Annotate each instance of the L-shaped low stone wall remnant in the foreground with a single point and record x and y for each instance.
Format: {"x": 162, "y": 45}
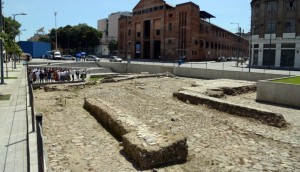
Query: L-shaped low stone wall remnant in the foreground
{"x": 148, "y": 150}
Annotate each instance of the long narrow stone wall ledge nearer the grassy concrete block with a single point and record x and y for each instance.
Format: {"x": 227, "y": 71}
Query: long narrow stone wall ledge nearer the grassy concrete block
{"x": 264, "y": 116}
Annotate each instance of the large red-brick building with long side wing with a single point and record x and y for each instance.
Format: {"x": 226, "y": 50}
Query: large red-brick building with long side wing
{"x": 158, "y": 29}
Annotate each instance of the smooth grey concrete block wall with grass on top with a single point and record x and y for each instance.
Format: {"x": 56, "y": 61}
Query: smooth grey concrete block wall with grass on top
{"x": 278, "y": 93}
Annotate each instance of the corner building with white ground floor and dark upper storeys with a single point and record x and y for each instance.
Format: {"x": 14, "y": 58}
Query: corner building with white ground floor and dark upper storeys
{"x": 275, "y": 27}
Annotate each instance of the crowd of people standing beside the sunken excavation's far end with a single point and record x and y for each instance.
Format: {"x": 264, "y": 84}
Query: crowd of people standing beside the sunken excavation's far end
{"x": 42, "y": 75}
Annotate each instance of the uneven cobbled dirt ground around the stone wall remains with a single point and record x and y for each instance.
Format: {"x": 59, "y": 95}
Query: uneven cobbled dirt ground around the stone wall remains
{"x": 75, "y": 141}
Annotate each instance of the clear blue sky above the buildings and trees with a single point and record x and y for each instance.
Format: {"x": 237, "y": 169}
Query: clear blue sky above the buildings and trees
{"x": 40, "y": 13}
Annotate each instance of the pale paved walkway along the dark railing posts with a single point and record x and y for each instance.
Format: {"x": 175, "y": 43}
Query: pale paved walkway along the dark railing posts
{"x": 14, "y": 152}
